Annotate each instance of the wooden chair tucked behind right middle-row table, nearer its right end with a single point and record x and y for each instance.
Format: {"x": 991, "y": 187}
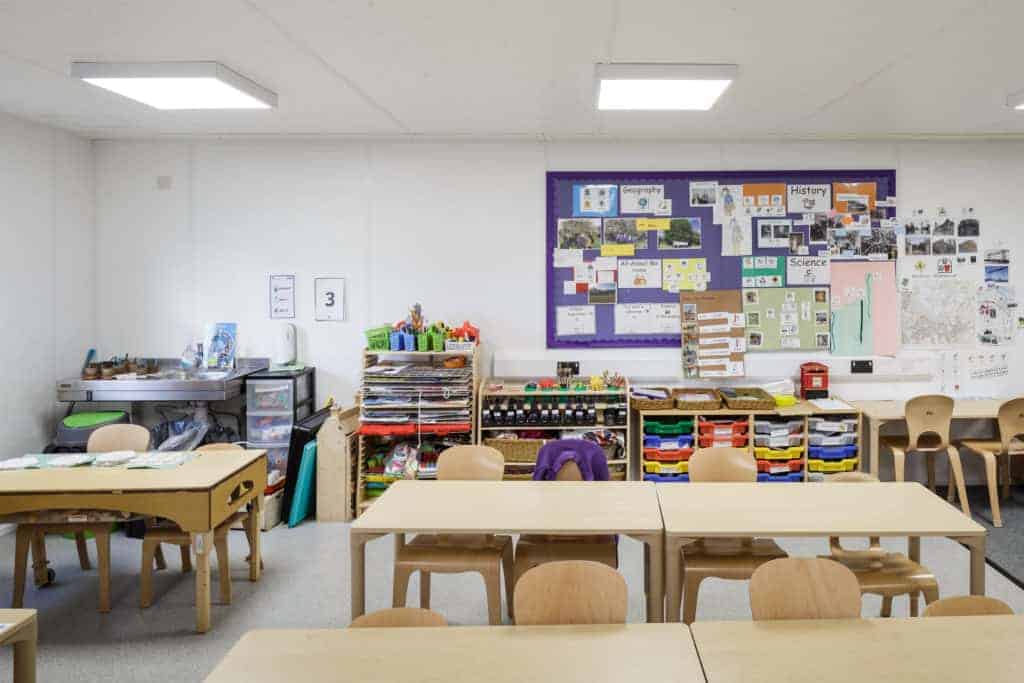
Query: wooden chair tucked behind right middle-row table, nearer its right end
{"x": 882, "y": 573}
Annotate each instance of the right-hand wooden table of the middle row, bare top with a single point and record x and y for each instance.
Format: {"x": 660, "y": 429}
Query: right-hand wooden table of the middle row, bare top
{"x": 694, "y": 511}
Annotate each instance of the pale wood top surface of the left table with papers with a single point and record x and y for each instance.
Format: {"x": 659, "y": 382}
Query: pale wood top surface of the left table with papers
{"x": 202, "y": 473}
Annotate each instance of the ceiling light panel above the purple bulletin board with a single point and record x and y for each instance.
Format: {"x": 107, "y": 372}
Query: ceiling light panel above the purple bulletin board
{"x": 662, "y": 88}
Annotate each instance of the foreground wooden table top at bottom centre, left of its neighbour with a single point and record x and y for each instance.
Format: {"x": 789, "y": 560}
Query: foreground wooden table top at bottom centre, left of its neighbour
{"x": 649, "y": 653}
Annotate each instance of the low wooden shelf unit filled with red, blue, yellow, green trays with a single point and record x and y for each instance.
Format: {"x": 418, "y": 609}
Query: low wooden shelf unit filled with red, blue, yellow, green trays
{"x": 798, "y": 444}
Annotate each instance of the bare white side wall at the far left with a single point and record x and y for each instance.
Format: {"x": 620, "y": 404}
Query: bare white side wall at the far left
{"x": 47, "y": 275}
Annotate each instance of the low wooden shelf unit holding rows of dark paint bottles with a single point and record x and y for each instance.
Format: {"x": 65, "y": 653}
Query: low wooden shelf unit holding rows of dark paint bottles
{"x": 518, "y": 416}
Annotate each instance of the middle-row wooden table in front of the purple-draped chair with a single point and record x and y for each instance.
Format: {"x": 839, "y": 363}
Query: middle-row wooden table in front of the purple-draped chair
{"x": 557, "y": 508}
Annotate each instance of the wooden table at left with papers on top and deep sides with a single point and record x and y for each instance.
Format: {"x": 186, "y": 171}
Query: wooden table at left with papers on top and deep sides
{"x": 198, "y": 497}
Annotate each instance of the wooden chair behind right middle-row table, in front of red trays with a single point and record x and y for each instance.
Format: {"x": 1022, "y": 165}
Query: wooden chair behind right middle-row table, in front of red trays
{"x": 735, "y": 560}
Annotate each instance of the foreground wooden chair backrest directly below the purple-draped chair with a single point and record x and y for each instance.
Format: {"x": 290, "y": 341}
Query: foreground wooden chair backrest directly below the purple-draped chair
{"x": 566, "y": 593}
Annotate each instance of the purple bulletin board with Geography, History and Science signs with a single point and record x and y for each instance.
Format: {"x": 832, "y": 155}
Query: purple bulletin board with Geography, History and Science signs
{"x": 622, "y": 247}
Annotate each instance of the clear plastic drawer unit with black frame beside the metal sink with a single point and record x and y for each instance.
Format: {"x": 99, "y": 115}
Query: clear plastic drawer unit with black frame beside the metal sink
{"x": 275, "y": 402}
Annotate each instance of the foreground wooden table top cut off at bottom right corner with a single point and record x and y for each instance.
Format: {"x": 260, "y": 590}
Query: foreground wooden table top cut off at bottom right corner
{"x": 956, "y": 649}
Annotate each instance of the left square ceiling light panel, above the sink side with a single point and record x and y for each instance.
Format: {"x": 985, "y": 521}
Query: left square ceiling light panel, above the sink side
{"x": 178, "y": 86}
